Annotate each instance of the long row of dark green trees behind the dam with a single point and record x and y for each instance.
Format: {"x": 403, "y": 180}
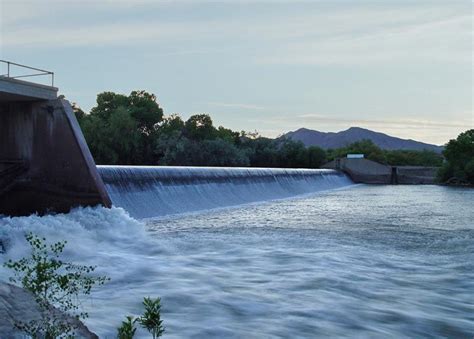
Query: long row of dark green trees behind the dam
{"x": 133, "y": 130}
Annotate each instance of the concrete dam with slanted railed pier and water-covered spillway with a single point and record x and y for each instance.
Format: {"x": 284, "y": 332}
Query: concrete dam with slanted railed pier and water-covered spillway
{"x": 46, "y": 166}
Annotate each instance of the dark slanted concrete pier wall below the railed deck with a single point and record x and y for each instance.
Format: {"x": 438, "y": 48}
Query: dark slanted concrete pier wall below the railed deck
{"x": 57, "y": 171}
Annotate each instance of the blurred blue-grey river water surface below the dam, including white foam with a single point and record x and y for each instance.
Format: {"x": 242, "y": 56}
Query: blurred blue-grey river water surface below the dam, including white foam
{"x": 364, "y": 261}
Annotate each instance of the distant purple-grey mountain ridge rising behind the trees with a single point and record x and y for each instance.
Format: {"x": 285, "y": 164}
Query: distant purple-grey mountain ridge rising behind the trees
{"x": 353, "y": 134}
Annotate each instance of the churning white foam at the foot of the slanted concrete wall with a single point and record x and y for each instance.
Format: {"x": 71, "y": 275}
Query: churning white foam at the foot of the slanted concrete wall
{"x": 95, "y": 235}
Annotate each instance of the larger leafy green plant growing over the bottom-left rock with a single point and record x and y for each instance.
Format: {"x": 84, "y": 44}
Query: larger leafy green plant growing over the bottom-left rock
{"x": 56, "y": 287}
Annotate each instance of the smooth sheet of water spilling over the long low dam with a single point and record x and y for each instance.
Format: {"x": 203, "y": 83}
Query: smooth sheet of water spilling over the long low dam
{"x": 149, "y": 191}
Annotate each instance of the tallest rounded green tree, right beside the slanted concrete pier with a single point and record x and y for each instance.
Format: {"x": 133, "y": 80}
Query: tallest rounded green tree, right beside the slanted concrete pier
{"x": 121, "y": 129}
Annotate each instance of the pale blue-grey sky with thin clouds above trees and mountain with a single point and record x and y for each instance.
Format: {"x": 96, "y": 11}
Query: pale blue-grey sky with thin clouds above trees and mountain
{"x": 400, "y": 67}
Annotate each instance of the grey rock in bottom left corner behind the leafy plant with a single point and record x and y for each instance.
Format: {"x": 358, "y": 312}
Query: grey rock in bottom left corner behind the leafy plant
{"x": 16, "y": 303}
